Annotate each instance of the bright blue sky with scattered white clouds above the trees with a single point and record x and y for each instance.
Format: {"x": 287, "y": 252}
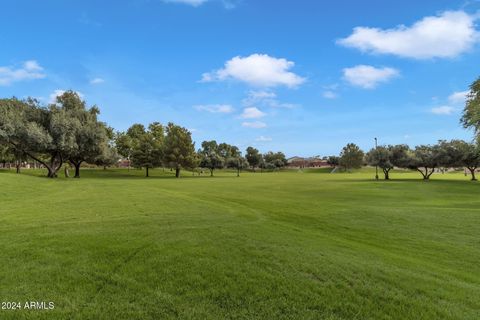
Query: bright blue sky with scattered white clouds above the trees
{"x": 304, "y": 77}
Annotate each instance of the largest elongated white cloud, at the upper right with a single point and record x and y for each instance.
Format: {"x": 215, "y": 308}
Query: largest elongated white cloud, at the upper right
{"x": 444, "y": 36}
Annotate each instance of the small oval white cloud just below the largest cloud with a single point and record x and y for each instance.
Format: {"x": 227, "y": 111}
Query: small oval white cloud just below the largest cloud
{"x": 368, "y": 77}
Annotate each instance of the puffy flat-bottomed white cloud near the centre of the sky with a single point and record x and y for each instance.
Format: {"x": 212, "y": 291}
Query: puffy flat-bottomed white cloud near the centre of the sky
{"x": 259, "y": 70}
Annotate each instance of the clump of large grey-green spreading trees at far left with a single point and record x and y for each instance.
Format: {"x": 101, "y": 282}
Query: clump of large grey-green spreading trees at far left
{"x": 65, "y": 131}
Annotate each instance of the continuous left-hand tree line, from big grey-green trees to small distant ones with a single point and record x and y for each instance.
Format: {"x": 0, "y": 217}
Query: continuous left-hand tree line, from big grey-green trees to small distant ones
{"x": 69, "y": 132}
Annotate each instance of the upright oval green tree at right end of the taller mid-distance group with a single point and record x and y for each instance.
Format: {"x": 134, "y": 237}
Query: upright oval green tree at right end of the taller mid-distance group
{"x": 179, "y": 150}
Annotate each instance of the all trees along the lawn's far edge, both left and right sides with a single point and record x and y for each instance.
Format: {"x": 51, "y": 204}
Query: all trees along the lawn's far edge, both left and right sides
{"x": 69, "y": 132}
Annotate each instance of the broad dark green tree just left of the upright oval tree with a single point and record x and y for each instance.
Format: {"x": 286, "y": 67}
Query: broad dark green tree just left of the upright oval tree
{"x": 146, "y": 146}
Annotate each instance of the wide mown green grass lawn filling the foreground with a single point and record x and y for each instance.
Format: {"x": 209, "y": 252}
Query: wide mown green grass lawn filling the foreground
{"x": 287, "y": 245}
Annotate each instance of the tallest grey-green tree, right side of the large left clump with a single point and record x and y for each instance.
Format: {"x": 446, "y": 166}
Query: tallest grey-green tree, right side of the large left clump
{"x": 90, "y": 136}
